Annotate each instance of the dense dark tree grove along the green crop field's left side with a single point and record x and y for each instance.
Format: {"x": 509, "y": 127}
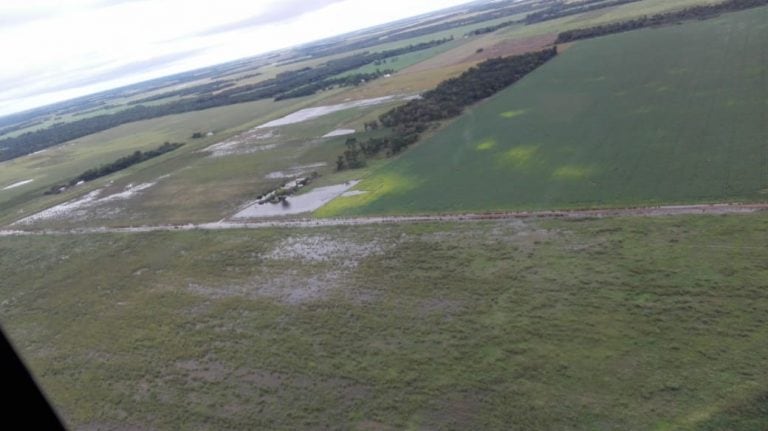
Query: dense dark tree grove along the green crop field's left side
{"x": 447, "y": 100}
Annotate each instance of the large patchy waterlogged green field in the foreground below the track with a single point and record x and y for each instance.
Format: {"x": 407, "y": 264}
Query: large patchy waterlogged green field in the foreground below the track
{"x": 624, "y": 323}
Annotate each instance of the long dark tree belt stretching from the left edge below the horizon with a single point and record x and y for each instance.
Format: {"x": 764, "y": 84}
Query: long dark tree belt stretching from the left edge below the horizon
{"x": 283, "y": 83}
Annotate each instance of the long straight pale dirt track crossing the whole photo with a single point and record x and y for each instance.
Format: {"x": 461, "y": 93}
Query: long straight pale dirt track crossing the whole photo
{"x": 710, "y": 209}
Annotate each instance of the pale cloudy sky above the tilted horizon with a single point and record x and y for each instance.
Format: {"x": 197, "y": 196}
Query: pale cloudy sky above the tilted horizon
{"x": 60, "y": 49}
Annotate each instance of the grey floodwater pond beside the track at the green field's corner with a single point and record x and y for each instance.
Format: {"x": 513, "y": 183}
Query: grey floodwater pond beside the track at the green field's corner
{"x": 298, "y": 204}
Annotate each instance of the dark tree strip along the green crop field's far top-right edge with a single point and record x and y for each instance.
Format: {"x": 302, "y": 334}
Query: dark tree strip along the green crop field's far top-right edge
{"x": 691, "y": 13}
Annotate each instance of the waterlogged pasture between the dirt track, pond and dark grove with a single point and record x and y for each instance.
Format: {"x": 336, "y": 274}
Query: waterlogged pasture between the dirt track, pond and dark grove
{"x": 212, "y": 188}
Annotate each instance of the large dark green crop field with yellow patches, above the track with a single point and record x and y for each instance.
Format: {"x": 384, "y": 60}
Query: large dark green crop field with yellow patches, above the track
{"x": 602, "y": 125}
